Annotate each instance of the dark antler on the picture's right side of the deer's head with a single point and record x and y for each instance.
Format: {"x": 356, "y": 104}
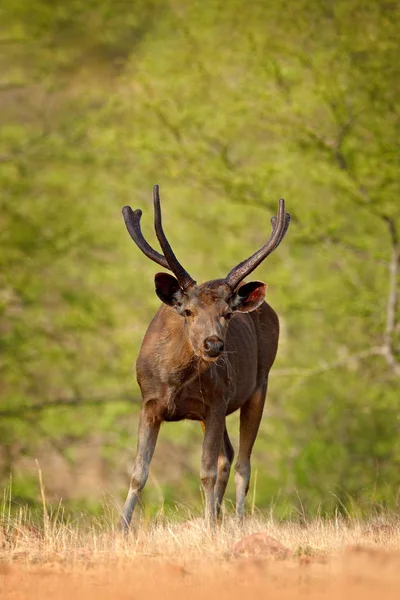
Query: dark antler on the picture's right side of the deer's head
{"x": 280, "y": 226}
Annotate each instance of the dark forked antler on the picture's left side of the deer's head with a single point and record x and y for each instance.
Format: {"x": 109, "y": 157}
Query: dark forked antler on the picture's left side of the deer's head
{"x": 167, "y": 260}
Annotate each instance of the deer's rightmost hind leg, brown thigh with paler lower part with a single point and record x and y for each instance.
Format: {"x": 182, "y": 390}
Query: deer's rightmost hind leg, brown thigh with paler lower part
{"x": 250, "y": 417}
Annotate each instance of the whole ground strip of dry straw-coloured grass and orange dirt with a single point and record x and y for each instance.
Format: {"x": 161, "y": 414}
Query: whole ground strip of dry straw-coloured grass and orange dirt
{"x": 165, "y": 559}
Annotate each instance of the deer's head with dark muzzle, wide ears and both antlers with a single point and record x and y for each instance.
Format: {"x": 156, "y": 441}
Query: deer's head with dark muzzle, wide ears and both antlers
{"x": 207, "y": 308}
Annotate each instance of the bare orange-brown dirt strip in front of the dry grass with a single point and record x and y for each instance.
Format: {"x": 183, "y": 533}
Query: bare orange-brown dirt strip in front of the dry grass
{"x": 356, "y": 573}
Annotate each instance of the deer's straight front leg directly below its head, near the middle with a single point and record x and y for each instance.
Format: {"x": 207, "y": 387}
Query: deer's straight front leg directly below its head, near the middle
{"x": 214, "y": 430}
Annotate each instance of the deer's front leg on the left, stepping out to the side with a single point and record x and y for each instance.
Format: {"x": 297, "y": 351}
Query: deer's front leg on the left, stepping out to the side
{"x": 147, "y": 439}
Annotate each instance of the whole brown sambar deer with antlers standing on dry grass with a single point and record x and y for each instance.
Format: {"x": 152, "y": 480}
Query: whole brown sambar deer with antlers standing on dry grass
{"x": 206, "y": 354}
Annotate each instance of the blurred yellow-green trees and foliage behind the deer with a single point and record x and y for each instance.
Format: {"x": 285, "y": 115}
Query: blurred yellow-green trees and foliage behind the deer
{"x": 228, "y": 106}
